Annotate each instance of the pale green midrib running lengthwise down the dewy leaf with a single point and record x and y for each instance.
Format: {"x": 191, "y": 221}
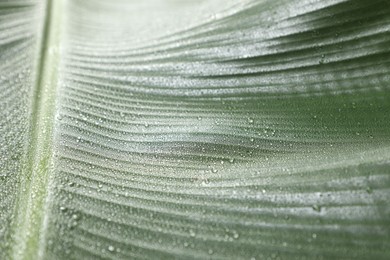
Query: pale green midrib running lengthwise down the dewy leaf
{"x": 36, "y": 164}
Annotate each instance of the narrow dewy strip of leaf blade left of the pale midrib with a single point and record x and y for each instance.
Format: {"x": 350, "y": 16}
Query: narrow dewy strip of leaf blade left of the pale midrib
{"x": 19, "y": 47}
